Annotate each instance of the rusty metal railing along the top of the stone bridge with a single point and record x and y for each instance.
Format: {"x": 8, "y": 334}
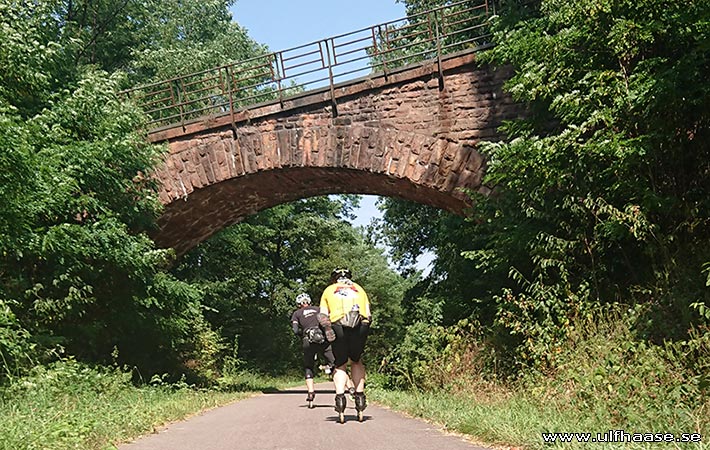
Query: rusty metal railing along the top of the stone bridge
{"x": 279, "y": 75}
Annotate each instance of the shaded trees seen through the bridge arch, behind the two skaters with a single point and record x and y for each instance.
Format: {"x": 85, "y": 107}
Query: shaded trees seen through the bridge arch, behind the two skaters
{"x": 251, "y": 273}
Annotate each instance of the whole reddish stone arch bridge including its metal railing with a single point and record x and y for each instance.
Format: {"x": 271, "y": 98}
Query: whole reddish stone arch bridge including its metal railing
{"x": 246, "y": 136}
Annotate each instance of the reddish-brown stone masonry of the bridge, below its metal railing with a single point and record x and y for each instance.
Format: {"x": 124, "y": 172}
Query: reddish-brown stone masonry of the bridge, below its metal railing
{"x": 406, "y": 135}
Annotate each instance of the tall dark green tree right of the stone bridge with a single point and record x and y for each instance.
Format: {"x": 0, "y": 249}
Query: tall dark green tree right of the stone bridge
{"x": 612, "y": 170}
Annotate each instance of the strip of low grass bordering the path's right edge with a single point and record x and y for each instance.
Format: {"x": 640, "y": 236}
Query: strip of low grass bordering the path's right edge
{"x": 513, "y": 420}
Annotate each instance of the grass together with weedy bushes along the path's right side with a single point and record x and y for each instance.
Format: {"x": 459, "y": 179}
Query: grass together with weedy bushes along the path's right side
{"x": 609, "y": 380}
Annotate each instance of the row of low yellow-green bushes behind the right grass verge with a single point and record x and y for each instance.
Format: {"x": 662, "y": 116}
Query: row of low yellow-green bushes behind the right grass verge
{"x": 606, "y": 376}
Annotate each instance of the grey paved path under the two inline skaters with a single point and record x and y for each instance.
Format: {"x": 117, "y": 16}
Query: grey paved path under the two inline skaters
{"x": 282, "y": 421}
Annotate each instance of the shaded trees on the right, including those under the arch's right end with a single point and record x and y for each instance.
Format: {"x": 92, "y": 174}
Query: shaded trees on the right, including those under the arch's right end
{"x": 600, "y": 195}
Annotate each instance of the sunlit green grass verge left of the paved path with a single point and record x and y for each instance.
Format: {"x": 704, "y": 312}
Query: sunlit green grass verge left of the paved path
{"x": 71, "y": 406}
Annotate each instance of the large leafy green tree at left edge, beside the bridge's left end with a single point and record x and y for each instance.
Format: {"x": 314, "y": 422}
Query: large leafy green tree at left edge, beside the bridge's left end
{"x": 76, "y": 257}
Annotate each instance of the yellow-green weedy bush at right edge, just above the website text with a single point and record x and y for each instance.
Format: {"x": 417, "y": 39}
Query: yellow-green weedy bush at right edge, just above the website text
{"x": 608, "y": 372}
